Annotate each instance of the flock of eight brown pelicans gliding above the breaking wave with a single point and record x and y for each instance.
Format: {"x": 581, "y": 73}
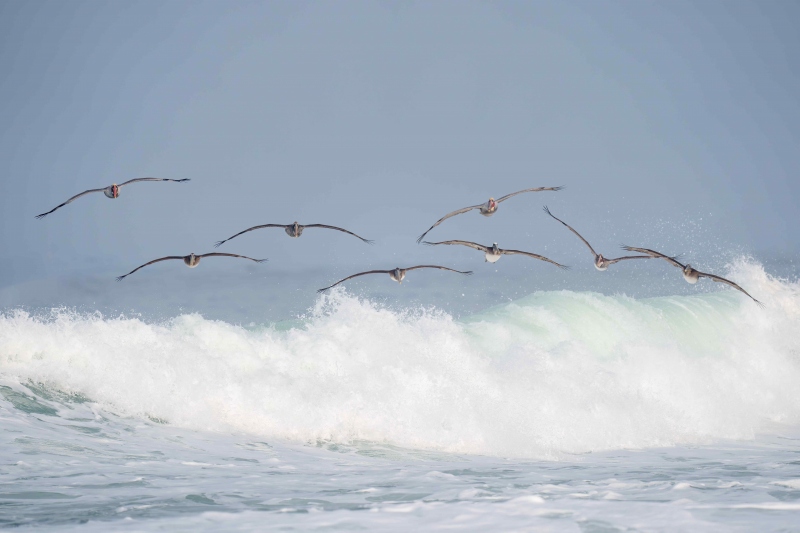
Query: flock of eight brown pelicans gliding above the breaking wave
{"x": 491, "y": 253}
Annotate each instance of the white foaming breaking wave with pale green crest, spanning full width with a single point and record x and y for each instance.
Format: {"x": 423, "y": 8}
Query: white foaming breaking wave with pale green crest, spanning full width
{"x": 554, "y": 373}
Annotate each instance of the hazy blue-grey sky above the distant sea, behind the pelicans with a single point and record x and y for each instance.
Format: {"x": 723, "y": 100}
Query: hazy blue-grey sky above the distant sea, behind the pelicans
{"x": 671, "y": 123}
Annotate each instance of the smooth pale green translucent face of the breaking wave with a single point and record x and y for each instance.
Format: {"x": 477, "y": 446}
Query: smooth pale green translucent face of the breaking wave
{"x": 608, "y": 325}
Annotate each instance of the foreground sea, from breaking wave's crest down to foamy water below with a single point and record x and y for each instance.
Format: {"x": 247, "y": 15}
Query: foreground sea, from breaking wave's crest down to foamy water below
{"x": 554, "y": 410}
